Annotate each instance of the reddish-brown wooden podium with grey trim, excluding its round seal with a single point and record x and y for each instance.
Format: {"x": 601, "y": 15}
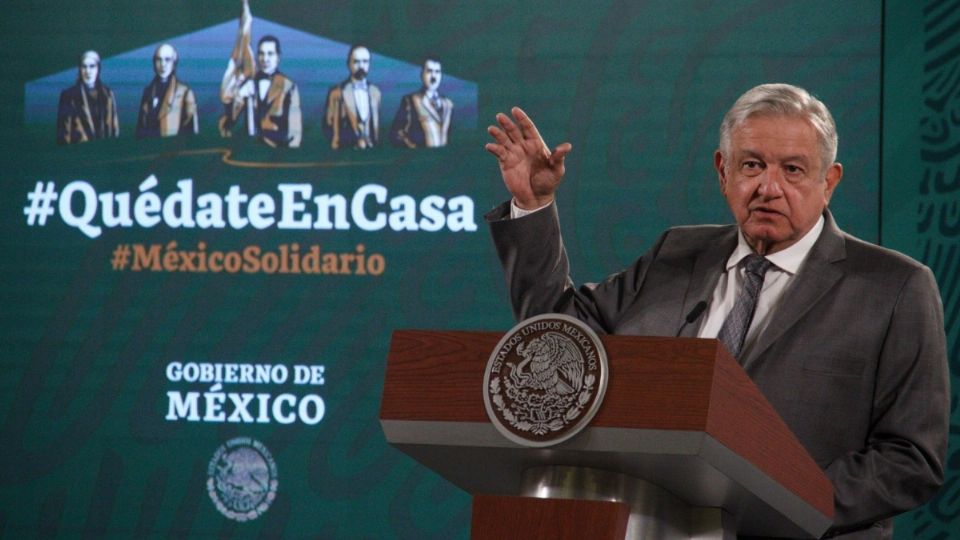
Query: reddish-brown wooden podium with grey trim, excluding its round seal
{"x": 683, "y": 446}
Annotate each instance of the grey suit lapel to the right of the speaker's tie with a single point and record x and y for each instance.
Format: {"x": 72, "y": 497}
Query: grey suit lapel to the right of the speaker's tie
{"x": 817, "y": 276}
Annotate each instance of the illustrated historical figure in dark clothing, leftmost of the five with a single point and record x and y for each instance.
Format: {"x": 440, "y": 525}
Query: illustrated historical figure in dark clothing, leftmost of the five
{"x": 88, "y": 109}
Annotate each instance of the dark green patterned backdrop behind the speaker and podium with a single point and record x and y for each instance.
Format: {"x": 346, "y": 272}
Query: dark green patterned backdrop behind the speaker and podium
{"x": 637, "y": 87}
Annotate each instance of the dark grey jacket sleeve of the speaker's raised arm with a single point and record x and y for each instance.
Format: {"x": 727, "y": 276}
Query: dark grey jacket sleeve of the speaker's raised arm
{"x": 536, "y": 268}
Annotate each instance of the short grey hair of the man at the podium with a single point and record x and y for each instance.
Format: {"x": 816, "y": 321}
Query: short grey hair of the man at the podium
{"x": 783, "y": 100}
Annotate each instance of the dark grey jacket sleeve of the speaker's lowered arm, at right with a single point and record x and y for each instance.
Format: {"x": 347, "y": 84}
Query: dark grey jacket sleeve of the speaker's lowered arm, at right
{"x": 901, "y": 463}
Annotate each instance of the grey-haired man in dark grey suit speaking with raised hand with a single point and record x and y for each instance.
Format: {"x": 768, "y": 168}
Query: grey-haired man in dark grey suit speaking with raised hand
{"x": 845, "y": 338}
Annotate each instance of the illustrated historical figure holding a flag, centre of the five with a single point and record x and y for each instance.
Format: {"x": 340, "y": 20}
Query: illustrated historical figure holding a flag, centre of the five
{"x": 267, "y": 101}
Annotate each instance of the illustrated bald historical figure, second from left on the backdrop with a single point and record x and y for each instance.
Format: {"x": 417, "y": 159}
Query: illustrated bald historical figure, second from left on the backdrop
{"x": 168, "y": 106}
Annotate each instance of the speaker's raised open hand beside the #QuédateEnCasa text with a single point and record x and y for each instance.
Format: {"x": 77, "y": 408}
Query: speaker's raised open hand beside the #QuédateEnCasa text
{"x": 530, "y": 171}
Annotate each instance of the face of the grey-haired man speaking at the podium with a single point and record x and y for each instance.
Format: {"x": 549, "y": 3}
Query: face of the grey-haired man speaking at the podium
{"x": 773, "y": 180}
